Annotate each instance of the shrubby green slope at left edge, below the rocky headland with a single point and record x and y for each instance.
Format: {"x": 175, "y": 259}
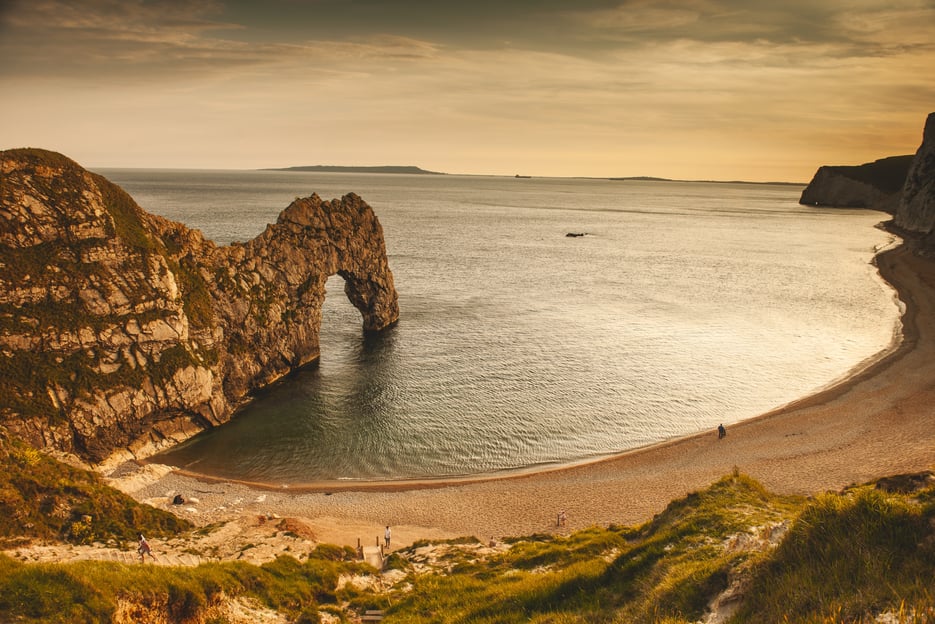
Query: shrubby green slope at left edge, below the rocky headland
{"x": 46, "y": 499}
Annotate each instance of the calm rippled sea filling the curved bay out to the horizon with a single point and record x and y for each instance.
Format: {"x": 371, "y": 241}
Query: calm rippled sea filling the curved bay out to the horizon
{"x": 682, "y": 305}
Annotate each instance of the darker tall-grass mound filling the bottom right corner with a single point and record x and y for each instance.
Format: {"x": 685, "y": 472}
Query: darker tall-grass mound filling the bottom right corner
{"x": 861, "y": 552}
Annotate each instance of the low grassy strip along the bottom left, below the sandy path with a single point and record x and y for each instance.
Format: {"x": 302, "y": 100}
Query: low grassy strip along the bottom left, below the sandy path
{"x": 93, "y": 591}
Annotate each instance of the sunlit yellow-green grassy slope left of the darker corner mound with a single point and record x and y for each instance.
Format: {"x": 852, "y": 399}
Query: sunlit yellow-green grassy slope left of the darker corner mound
{"x": 669, "y": 568}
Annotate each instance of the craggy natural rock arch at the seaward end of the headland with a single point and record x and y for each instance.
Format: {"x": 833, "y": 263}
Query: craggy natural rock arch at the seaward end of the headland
{"x": 290, "y": 263}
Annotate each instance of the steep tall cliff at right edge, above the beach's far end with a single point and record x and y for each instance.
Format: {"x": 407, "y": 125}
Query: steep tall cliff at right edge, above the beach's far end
{"x": 916, "y": 210}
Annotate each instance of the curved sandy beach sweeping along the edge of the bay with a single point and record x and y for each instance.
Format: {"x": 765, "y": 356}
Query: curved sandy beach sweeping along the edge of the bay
{"x": 876, "y": 422}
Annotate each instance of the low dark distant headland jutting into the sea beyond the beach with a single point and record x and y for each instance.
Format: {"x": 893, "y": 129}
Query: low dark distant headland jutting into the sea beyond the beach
{"x": 875, "y": 185}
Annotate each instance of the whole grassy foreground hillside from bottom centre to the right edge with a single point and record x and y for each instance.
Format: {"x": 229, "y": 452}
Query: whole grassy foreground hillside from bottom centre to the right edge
{"x": 845, "y": 557}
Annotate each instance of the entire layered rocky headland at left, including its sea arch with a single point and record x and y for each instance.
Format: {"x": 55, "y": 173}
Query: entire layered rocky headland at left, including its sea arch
{"x": 122, "y": 333}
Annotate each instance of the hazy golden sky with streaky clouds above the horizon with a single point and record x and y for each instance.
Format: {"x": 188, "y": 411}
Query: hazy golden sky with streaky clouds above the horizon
{"x": 690, "y": 89}
